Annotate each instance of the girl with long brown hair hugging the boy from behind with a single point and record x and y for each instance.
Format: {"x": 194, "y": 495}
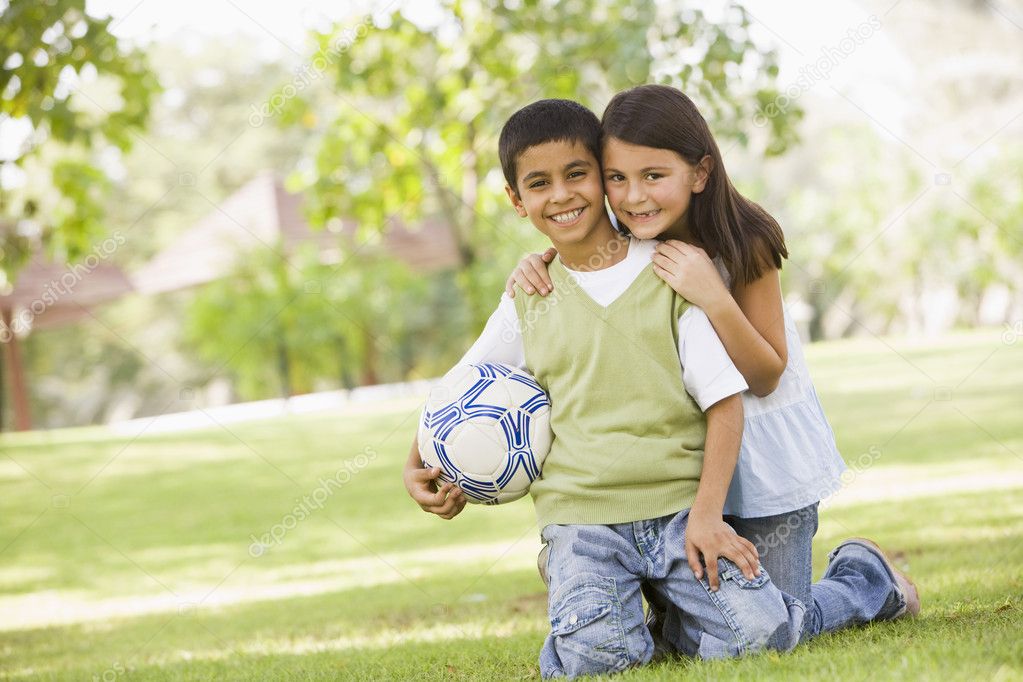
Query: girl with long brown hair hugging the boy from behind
{"x": 664, "y": 178}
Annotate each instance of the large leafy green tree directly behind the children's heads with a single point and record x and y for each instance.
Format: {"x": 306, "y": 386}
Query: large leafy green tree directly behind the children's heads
{"x": 413, "y": 128}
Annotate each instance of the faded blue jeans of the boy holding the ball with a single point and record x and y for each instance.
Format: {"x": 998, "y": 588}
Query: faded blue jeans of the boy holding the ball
{"x": 596, "y": 605}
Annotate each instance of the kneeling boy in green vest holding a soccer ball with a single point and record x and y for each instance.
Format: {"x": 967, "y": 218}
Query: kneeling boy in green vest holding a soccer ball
{"x": 637, "y": 478}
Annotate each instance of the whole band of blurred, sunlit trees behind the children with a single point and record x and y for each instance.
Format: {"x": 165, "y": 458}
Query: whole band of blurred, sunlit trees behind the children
{"x": 392, "y": 120}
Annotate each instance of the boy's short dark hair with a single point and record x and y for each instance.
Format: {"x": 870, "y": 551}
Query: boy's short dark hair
{"x": 543, "y": 122}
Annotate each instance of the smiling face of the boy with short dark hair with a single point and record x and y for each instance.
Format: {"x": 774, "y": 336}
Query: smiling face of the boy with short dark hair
{"x": 560, "y": 191}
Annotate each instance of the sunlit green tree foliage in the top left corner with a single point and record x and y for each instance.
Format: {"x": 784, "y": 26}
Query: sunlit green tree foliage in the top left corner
{"x": 53, "y": 53}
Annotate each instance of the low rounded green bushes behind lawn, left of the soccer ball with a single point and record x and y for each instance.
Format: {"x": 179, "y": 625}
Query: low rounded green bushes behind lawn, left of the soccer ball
{"x": 293, "y": 322}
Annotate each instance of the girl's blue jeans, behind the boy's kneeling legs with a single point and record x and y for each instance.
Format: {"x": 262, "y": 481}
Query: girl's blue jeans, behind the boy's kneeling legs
{"x": 857, "y": 587}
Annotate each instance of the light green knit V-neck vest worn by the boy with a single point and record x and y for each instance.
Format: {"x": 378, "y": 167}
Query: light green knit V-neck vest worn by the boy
{"x": 629, "y": 439}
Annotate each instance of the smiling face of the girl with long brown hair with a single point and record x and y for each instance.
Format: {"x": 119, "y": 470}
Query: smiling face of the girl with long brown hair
{"x": 650, "y": 189}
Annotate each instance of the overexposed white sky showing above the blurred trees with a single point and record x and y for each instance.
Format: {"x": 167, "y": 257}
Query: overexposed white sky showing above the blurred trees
{"x": 802, "y": 31}
